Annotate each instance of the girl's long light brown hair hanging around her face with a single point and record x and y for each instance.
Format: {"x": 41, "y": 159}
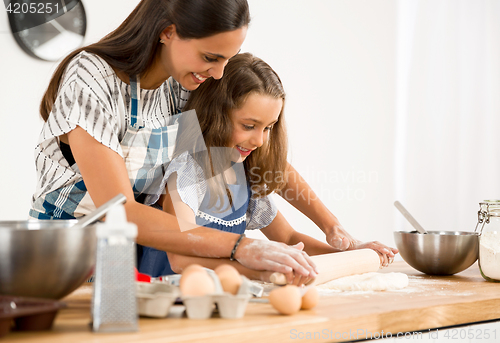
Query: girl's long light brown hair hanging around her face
{"x": 213, "y": 102}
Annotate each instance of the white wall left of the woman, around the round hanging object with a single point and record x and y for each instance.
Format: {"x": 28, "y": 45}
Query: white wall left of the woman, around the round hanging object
{"x": 24, "y": 80}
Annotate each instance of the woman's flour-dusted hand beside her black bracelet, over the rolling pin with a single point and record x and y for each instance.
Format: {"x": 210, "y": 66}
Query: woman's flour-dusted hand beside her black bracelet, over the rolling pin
{"x": 276, "y": 257}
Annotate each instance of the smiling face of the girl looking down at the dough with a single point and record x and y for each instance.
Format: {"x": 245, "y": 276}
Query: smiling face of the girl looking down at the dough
{"x": 252, "y": 123}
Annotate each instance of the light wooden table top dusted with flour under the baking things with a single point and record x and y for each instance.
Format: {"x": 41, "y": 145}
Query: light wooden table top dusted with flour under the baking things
{"x": 428, "y": 302}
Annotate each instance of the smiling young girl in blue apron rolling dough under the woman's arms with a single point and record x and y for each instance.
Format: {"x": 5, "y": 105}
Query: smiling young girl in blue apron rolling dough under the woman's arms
{"x": 228, "y": 159}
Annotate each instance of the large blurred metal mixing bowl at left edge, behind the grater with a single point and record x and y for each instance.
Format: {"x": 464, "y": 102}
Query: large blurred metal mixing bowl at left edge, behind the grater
{"x": 45, "y": 258}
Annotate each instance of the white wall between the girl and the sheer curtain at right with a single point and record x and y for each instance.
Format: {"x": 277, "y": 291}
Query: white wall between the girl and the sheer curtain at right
{"x": 336, "y": 60}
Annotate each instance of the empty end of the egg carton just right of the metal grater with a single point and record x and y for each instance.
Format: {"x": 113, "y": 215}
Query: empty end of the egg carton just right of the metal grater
{"x": 155, "y": 299}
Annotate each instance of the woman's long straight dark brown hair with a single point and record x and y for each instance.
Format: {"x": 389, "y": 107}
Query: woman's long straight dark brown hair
{"x": 133, "y": 46}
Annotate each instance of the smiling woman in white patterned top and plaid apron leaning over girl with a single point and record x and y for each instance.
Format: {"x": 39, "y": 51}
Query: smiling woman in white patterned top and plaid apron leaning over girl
{"x": 104, "y": 135}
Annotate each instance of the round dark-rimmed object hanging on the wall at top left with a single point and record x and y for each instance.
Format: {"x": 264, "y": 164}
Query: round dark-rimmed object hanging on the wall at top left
{"x": 47, "y": 29}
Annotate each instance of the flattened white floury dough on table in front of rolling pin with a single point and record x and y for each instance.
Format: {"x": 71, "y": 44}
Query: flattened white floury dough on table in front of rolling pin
{"x": 372, "y": 281}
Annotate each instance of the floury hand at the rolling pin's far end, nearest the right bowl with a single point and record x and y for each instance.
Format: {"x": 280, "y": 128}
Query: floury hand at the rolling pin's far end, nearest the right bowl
{"x": 340, "y": 239}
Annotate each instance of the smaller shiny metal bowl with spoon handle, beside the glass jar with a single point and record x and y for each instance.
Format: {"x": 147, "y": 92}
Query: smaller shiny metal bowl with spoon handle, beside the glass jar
{"x": 438, "y": 252}
